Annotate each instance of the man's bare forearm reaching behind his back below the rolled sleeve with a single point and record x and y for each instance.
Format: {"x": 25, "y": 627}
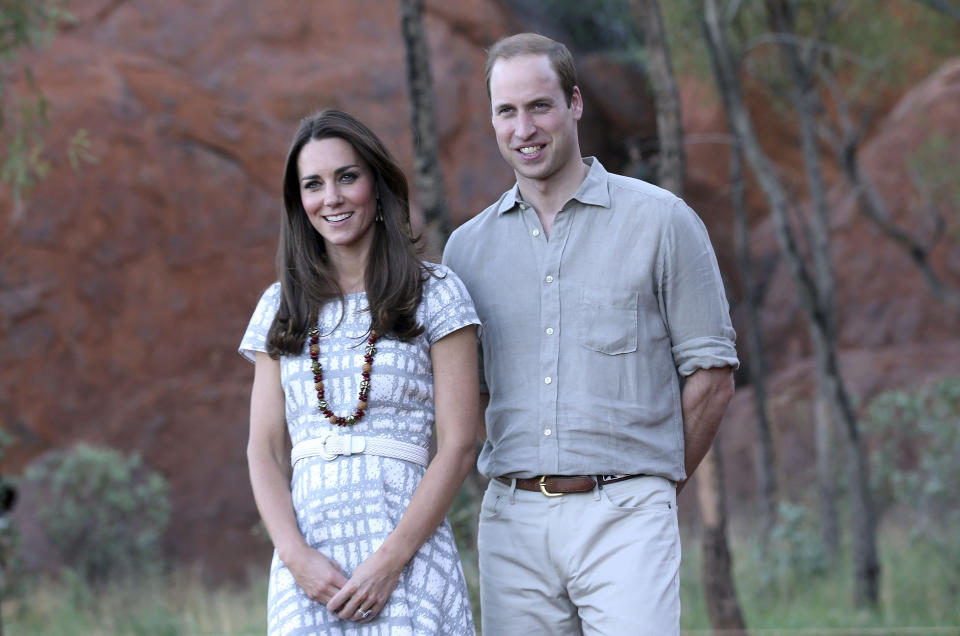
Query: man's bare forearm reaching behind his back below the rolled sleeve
{"x": 704, "y": 400}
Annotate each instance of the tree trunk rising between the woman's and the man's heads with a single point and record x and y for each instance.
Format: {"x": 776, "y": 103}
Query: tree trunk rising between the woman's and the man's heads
{"x": 426, "y": 162}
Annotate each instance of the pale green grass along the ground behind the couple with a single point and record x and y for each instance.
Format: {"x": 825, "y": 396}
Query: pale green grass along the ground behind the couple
{"x": 919, "y": 592}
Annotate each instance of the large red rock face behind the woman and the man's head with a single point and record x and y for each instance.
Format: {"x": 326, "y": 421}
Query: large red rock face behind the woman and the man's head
{"x": 125, "y": 287}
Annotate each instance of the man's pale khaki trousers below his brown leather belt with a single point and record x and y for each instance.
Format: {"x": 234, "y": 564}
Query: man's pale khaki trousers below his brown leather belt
{"x": 606, "y": 562}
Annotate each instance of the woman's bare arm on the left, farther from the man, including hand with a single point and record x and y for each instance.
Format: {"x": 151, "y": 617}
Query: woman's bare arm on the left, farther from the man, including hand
{"x": 318, "y": 576}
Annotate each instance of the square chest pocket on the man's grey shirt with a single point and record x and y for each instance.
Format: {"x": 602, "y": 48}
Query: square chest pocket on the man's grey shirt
{"x": 608, "y": 319}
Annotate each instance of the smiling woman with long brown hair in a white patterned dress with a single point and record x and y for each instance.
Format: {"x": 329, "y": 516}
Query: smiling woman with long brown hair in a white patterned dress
{"x": 359, "y": 350}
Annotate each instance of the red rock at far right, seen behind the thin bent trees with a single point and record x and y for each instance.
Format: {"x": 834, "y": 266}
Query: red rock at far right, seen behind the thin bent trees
{"x": 892, "y": 331}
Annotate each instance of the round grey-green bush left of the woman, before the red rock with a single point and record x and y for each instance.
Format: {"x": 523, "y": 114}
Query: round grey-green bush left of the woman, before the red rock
{"x": 103, "y": 511}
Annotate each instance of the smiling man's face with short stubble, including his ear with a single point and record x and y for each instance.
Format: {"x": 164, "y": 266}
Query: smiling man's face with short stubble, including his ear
{"x": 536, "y": 130}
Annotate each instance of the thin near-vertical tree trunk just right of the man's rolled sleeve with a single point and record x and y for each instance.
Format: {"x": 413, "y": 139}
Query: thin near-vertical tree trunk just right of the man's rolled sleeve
{"x": 765, "y": 462}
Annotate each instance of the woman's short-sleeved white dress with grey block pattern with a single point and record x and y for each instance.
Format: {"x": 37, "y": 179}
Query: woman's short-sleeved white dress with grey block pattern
{"x": 346, "y": 507}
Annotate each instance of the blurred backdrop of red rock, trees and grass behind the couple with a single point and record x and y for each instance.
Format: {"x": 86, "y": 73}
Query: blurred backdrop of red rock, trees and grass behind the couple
{"x": 141, "y": 149}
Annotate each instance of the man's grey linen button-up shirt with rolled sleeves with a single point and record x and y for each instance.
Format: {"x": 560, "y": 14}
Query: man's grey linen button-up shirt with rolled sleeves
{"x": 584, "y": 336}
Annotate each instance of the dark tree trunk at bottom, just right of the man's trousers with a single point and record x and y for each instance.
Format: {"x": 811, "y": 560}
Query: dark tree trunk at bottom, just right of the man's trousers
{"x": 719, "y": 592}
